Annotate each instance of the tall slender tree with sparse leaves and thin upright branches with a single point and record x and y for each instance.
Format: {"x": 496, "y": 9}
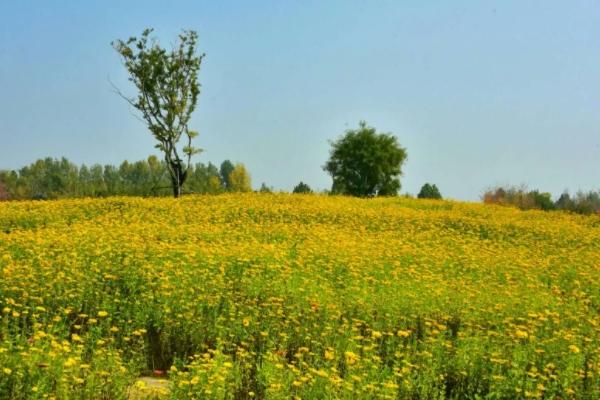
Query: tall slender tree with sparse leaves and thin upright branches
{"x": 168, "y": 89}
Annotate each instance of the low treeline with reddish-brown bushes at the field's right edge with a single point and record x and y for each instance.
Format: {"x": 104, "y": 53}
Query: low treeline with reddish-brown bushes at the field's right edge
{"x": 521, "y": 197}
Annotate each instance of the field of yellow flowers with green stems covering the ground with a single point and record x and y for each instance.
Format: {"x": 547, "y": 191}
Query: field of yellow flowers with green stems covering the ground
{"x": 288, "y": 296}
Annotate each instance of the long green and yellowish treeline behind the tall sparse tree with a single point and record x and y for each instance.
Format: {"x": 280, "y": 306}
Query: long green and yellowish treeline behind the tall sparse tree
{"x": 51, "y": 178}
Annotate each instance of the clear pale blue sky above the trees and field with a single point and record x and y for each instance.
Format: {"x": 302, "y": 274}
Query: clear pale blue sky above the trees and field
{"x": 480, "y": 93}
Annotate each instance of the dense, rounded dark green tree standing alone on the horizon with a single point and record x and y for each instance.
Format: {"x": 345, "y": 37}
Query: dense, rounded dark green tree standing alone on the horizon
{"x": 366, "y": 163}
